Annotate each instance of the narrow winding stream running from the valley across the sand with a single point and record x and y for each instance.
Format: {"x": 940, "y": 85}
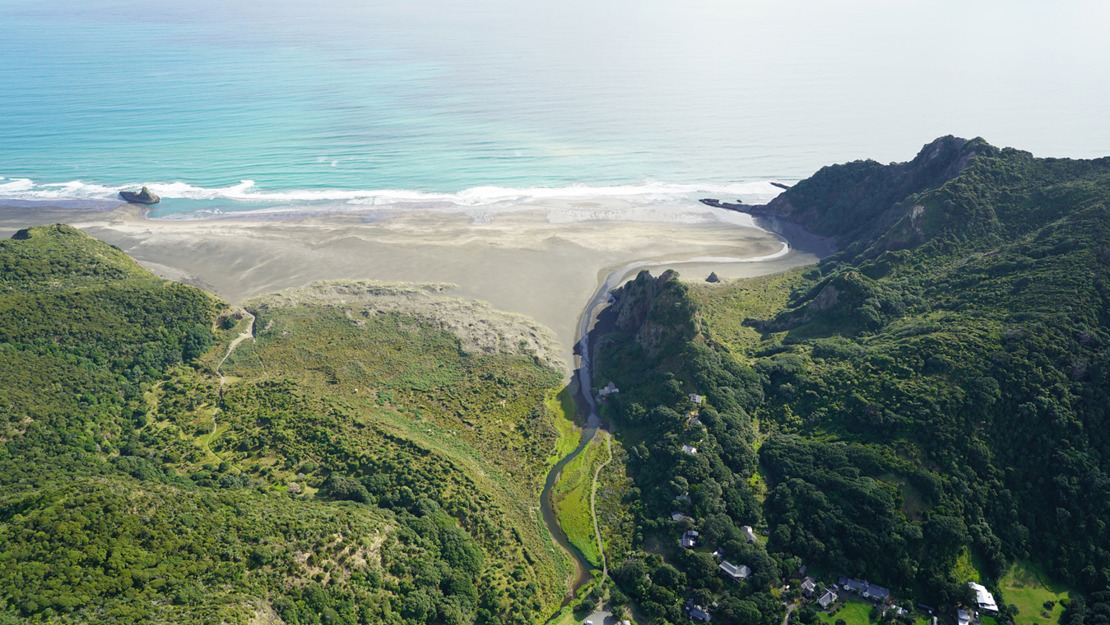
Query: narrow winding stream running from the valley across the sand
{"x": 584, "y": 397}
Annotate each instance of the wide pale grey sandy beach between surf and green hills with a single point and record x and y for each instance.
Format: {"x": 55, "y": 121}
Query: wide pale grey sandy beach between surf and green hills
{"x": 541, "y": 261}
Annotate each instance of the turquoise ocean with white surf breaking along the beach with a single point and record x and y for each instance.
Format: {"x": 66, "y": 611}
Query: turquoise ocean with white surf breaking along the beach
{"x": 225, "y": 107}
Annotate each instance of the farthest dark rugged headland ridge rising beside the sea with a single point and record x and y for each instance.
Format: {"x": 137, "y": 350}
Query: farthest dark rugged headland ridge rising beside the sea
{"x": 955, "y": 193}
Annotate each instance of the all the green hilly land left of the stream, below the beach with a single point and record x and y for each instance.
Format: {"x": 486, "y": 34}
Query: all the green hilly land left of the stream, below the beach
{"x": 345, "y": 465}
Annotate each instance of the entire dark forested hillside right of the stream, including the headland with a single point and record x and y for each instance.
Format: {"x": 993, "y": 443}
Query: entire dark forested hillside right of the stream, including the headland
{"x": 926, "y": 407}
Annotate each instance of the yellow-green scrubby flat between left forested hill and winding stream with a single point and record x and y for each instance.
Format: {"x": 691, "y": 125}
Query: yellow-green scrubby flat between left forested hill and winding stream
{"x": 475, "y": 428}
